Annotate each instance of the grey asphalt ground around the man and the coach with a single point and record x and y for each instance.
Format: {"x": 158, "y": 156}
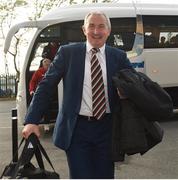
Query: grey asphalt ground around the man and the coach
{"x": 161, "y": 162}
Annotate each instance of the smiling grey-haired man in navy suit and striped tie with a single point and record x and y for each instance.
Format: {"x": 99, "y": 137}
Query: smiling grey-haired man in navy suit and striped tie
{"x": 84, "y": 125}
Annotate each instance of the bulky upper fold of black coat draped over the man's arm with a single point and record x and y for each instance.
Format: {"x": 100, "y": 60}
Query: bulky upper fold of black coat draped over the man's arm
{"x": 151, "y": 99}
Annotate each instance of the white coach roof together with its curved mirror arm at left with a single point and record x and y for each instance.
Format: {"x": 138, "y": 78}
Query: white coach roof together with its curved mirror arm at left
{"x": 77, "y": 12}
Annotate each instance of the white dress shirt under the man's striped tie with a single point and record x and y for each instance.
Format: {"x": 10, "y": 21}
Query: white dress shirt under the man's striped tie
{"x": 86, "y": 104}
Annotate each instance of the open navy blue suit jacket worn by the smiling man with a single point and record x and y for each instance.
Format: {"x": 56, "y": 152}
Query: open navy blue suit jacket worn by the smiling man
{"x": 69, "y": 65}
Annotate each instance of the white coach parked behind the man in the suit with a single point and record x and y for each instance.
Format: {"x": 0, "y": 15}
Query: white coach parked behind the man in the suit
{"x": 148, "y": 32}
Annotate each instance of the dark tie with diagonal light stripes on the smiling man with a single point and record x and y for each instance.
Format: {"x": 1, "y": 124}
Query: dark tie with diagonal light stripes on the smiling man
{"x": 98, "y": 93}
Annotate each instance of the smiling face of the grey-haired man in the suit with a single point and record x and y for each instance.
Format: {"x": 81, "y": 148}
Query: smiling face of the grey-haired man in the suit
{"x": 96, "y": 30}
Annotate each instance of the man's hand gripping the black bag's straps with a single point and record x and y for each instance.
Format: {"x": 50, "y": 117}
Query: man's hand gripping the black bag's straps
{"x": 29, "y": 129}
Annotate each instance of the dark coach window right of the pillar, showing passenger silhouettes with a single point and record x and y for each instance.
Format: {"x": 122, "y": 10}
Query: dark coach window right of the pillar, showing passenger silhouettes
{"x": 160, "y": 31}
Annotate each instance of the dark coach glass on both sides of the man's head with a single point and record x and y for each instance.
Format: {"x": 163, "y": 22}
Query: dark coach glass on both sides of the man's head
{"x": 122, "y": 36}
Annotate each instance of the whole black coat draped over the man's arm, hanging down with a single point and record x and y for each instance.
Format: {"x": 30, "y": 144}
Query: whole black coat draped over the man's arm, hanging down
{"x": 134, "y": 127}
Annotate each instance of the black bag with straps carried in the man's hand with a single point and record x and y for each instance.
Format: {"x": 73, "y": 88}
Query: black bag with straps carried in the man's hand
{"x": 24, "y": 169}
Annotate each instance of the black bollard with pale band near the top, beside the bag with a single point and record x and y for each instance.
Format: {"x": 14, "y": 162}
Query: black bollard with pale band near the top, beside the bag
{"x": 14, "y": 135}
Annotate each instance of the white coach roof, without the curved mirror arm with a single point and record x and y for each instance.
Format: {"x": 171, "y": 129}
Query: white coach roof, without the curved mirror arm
{"x": 119, "y": 9}
